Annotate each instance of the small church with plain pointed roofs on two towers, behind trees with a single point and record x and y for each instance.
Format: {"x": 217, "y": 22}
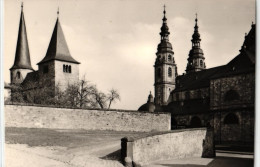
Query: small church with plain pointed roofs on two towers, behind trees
{"x": 56, "y": 70}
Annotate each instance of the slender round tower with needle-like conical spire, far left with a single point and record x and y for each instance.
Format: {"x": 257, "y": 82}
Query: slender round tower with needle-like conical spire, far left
{"x": 22, "y": 63}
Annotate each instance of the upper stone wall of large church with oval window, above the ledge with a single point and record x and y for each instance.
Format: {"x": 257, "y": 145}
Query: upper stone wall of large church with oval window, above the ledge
{"x": 243, "y": 84}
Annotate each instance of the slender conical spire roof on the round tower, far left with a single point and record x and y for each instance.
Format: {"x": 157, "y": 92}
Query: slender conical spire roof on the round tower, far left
{"x": 22, "y": 54}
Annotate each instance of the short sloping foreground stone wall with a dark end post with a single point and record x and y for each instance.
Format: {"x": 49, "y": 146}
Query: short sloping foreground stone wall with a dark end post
{"x": 167, "y": 145}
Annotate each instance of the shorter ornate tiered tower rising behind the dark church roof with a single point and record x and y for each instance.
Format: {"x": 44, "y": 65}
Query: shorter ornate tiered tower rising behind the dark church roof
{"x": 196, "y": 60}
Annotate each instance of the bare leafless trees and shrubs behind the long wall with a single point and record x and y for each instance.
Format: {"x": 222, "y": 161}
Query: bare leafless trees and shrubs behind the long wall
{"x": 81, "y": 94}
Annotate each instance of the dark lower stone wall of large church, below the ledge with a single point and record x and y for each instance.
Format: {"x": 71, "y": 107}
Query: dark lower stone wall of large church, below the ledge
{"x": 240, "y": 133}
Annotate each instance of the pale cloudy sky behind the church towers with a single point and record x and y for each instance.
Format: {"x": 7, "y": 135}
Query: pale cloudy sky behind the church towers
{"x": 116, "y": 40}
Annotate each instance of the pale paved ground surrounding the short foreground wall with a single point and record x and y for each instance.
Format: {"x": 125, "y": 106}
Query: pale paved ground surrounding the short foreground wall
{"x": 78, "y": 148}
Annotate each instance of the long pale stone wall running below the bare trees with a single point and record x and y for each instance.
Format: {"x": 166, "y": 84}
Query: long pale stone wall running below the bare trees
{"x": 62, "y": 118}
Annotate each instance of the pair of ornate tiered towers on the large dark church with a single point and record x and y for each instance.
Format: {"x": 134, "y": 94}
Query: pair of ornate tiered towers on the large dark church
{"x": 165, "y": 67}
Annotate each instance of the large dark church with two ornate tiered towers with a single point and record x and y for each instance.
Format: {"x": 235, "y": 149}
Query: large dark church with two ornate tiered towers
{"x": 221, "y": 97}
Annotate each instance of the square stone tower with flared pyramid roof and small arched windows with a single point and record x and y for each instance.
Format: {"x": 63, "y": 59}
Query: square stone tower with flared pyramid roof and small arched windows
{"x": 58, "y": 67}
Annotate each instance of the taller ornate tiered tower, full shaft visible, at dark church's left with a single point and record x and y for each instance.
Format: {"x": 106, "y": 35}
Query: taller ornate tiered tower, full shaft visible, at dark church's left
{"x": 165, "y": 69}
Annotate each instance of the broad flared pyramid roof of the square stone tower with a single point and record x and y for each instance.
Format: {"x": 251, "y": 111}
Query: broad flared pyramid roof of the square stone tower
{"x": 58, "y": 48}
